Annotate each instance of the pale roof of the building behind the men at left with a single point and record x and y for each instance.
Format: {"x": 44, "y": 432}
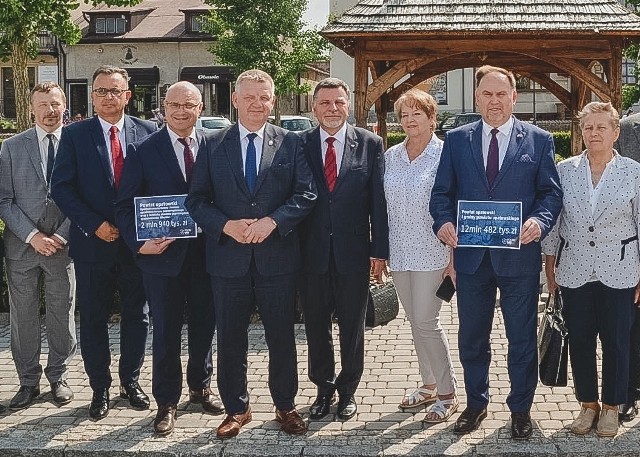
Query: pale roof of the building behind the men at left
{"x": 165, "y": 19}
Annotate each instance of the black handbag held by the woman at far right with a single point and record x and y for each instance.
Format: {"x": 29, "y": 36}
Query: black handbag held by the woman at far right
{"x": 553, "y": 344}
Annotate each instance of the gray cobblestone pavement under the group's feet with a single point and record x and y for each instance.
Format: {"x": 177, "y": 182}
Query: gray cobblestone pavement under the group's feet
{"x": 379, "y": 428}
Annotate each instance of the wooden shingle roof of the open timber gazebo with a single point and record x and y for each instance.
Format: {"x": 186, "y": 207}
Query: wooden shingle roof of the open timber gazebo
{"x": 504, "y": 16}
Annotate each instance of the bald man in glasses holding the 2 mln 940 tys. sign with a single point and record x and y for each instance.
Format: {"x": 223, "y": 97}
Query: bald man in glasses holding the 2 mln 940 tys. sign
{"x": 173, "y": 270}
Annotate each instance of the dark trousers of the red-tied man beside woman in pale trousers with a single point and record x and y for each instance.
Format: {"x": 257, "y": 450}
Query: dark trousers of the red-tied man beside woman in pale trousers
{"x": 322, "y": 295}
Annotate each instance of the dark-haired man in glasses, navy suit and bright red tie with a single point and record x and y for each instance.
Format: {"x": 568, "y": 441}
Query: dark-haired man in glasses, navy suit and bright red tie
{"x": 85, "y": 179}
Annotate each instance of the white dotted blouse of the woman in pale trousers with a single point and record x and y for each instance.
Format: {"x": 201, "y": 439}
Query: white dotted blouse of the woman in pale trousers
{"x": 407, "y": 185}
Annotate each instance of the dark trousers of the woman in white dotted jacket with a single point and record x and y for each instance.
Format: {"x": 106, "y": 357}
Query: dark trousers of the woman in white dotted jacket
{"x": 591, "y": 311}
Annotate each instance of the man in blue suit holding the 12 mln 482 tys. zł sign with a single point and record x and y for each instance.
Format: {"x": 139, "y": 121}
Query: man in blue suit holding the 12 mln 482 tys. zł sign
{"x": 497, "y": 158}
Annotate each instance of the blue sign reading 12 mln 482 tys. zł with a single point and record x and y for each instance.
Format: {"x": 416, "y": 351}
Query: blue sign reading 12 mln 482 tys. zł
{"x": 489, "y": 224}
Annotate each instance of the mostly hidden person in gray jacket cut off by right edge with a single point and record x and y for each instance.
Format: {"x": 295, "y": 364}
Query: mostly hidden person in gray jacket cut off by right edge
{"x": 628, "y": 144}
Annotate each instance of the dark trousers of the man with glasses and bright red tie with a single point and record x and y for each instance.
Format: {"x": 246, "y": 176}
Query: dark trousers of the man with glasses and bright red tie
{"x": 95, "y": 285}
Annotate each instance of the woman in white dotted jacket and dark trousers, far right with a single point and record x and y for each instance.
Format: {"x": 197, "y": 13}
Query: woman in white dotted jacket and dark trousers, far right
{"x": 593, "y": 255}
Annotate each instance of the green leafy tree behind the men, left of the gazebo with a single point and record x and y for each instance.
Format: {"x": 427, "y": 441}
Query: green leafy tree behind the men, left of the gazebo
{"x": 265, "y": 34}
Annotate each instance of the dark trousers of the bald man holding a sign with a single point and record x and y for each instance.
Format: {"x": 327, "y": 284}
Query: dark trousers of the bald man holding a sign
{"x": 167, "y": 298}
